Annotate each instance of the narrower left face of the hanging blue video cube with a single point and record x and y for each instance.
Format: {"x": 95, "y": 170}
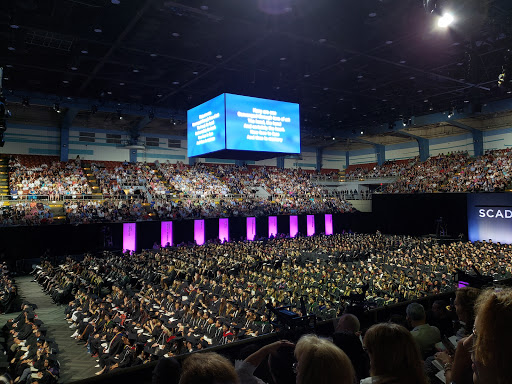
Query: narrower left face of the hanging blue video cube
{"x": 206, "y": 127}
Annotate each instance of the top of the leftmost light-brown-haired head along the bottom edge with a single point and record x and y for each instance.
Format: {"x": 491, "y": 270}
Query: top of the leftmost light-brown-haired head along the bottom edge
{"x": 208, "y": 368}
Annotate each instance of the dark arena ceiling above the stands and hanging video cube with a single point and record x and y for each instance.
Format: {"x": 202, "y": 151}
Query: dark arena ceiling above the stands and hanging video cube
{"x": 350, "y": 64}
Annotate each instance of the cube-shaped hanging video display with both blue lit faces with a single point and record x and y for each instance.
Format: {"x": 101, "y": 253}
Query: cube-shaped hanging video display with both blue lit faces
{"x": 241, "y": 123}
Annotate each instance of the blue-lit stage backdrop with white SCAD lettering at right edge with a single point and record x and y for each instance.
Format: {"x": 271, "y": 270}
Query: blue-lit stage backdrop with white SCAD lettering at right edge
{"x": 490, "y": 217}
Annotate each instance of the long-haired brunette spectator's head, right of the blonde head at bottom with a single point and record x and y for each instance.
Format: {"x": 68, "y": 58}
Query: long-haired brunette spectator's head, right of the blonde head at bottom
{"x": 394, "y": 356}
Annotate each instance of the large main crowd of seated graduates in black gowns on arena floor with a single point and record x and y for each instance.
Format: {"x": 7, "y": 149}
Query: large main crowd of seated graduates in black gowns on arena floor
{"x": 131, "y": 309}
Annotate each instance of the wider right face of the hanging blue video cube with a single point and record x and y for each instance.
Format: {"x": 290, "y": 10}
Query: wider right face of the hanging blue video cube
{"x": 254, "y": 124}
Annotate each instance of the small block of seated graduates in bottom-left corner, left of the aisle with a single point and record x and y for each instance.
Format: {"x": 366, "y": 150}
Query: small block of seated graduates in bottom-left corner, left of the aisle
{"x": 32, "y": 354}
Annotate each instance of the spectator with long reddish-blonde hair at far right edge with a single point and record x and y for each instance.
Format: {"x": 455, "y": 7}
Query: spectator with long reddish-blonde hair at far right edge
{"x": 491, "y": 339}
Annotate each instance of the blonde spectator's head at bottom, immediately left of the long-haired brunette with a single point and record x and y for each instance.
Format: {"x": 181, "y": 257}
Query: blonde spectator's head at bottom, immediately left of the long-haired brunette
{"x": 319, "y": 361}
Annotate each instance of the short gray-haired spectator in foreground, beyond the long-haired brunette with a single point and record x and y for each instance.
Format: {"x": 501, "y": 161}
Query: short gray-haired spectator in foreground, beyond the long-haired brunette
{"x": 425, "y": 335}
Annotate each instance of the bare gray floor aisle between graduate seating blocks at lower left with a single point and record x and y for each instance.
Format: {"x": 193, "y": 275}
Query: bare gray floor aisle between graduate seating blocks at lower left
{"x": 75, "y": 362}
